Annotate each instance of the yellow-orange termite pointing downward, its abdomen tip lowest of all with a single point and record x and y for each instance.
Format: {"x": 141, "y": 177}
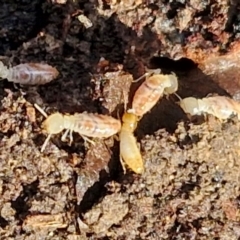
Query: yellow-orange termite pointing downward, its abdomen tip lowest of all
{"x": 129, "y": 151}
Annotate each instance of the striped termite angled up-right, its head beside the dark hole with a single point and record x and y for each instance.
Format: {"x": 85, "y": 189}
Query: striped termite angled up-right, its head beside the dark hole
{"x": 151, "y": 90}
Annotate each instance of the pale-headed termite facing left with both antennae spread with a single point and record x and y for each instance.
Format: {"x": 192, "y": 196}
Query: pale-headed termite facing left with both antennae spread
{"x": 85, "y": 124}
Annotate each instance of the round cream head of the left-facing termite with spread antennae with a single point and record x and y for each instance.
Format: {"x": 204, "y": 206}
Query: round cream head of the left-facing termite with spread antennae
{"x": 54, "y": 124}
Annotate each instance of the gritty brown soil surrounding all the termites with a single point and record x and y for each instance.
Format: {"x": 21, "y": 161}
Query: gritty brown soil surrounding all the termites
{"x": 190, "y": 186}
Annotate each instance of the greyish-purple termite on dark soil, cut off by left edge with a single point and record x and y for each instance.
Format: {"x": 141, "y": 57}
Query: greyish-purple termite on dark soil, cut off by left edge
{"x": 29, "y": 73}
